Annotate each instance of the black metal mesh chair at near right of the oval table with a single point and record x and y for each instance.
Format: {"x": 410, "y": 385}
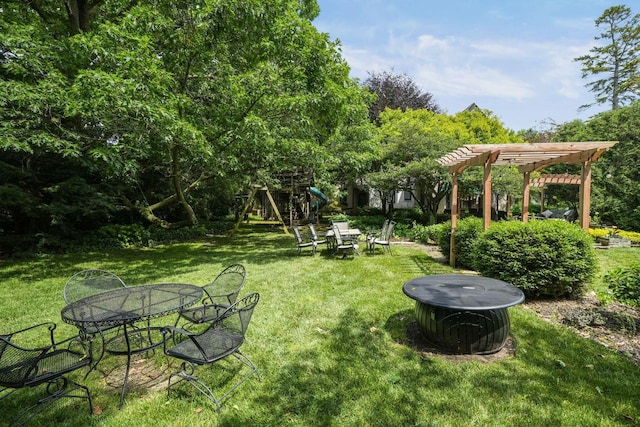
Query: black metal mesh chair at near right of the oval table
{"x": 222, "y": 338}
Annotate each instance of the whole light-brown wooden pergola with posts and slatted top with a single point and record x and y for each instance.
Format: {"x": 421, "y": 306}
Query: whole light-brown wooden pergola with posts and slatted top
{"x": 527, "y": 158}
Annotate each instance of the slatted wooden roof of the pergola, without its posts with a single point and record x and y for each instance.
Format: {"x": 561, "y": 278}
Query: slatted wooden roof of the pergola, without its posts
{"x": 527, "y": 157}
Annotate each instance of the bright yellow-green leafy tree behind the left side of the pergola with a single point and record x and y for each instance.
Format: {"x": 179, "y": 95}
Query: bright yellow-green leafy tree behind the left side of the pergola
{"x": 413, "y": 140}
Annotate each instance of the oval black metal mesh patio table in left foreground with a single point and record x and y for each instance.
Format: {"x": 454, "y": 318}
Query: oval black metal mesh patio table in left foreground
{"x": 129, "y": 307}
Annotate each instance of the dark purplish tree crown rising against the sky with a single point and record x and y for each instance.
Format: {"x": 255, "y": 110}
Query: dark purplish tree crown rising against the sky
{"x": 397, "y": 92}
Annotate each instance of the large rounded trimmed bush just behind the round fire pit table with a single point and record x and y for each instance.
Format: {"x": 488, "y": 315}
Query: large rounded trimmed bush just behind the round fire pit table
{"x": 542, "y": 258}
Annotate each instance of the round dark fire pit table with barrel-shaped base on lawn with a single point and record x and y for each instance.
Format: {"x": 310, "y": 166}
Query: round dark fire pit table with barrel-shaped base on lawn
{"x": 463, "y": 314}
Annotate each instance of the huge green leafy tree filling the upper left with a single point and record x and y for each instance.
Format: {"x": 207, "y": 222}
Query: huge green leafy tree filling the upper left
{"x": 163, "y": 98}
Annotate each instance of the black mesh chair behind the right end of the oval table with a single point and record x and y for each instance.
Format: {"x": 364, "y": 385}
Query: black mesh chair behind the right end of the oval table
{"x": 219, "y": 295}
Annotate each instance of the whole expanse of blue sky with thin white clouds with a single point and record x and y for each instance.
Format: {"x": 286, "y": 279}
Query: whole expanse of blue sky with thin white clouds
{"x": 513, "y": 57}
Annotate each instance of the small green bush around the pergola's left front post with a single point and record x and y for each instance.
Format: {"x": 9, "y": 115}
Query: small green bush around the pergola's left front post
{"x": 467, "y": 231}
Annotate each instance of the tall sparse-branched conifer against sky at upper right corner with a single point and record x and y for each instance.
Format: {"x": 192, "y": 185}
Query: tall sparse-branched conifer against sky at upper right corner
{"x": 614, "y": 63}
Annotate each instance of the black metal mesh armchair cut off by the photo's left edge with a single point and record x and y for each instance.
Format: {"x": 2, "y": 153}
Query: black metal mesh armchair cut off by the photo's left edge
{"x": 23, "y": 365}
